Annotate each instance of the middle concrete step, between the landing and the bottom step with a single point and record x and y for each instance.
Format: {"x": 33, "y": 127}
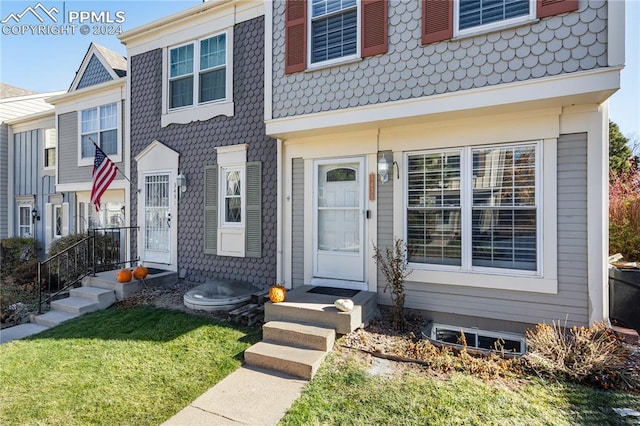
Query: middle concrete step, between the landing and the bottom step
{"x": 301, "y": 335}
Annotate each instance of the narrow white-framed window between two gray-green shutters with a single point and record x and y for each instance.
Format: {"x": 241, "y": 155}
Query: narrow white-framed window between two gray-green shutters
{"x": 232, "y": 196}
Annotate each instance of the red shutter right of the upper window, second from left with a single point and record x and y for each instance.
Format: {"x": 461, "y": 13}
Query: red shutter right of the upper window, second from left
{"x": 374, "y": 20}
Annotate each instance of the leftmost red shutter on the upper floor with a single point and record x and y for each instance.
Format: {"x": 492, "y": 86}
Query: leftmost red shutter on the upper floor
{"x": 295, "y": 36}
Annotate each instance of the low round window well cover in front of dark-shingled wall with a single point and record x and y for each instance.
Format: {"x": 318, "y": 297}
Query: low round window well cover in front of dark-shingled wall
{"x": 219, "y": 295}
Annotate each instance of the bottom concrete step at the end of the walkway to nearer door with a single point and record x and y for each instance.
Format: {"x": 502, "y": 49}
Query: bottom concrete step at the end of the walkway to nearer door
{"x": 298, "y": 362}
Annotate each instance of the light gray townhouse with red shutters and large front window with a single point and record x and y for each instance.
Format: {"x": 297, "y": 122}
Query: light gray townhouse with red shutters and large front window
{"x": 476, "y": 132}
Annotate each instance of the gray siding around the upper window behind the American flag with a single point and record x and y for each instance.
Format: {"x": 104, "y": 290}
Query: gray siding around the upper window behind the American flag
{"x": 68, "y": 141}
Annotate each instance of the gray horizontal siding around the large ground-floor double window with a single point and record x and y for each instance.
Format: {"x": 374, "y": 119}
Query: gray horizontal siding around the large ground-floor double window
{"x": 571, "y": 302}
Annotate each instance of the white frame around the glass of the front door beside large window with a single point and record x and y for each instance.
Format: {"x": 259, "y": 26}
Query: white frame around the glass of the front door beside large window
{"x": 357, "y": 281}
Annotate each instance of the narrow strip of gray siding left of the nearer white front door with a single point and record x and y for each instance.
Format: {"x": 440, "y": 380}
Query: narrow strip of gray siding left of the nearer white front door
{"x": 297, "y": 225}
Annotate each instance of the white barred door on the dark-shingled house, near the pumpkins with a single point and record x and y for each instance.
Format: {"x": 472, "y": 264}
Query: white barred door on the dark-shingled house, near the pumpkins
{"x": 157, "y": 218}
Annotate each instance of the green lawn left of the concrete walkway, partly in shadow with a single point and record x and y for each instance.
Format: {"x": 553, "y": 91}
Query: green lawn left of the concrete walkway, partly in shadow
{"x": 119, "y": 366}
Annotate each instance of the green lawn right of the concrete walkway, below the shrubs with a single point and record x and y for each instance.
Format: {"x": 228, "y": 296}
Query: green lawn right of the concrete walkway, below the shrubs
{"x": 345, "y": 393}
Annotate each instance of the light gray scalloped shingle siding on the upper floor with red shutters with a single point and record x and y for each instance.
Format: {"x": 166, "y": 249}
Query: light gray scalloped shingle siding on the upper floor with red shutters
{"x": 547, "y": 47}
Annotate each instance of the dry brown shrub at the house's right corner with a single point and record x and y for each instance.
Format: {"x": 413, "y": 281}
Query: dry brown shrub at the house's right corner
{"x": 585, "y": 355}
